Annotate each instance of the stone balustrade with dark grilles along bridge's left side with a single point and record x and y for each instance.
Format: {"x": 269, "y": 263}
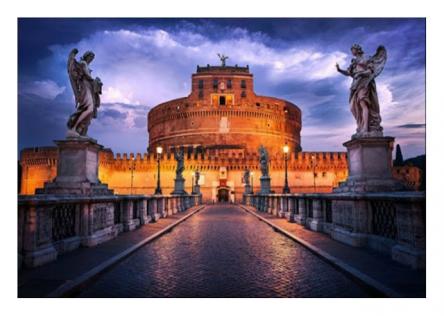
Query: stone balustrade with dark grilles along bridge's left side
{"x": 49, "y": 225}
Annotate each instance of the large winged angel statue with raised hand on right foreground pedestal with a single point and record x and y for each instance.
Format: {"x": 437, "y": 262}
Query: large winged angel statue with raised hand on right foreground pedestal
{"x": 363, "y": 98}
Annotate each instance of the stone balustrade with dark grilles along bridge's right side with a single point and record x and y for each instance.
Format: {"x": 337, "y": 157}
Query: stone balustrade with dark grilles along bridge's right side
{"x": 392, "y": 223}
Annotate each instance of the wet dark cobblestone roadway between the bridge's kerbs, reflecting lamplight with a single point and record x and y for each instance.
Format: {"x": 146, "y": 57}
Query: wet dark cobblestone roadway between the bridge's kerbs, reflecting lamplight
{"x": 223, "y": 251}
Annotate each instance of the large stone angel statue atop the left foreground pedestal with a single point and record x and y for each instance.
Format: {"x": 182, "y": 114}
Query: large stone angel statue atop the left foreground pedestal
{"x": 87, "y": 91}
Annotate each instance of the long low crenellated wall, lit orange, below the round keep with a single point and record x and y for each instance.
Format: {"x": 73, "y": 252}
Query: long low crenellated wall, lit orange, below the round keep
{"x": 119, "y": 171}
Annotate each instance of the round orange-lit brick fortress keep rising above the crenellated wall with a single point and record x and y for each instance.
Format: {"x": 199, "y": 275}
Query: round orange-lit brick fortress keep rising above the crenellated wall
{"x": 223, "y": 111}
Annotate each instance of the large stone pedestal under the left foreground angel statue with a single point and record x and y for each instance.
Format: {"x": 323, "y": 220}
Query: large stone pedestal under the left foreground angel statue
{"x": 77, "y": 169}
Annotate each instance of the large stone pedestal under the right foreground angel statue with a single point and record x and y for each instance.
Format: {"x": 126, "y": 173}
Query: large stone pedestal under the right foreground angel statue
{"x": 370, "y": 166}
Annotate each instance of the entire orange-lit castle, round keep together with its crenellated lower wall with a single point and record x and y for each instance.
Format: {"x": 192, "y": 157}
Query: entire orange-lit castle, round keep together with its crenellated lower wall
{"x": 220, "y": 126}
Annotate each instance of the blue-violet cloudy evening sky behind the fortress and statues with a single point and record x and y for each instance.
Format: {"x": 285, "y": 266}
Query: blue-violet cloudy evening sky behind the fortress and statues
{"x": 143, "y": 62}
